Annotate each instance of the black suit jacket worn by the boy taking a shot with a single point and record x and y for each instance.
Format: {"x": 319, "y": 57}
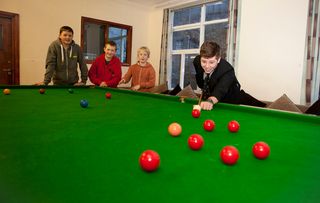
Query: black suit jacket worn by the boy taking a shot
{"x": 223, "y": 83}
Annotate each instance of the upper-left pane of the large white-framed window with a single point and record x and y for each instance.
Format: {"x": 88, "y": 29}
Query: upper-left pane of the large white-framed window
{"x": 187, "y": 16}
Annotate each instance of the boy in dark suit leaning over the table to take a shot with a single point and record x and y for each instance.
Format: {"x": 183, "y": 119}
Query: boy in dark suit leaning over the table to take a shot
{"x": 216, "y": 77}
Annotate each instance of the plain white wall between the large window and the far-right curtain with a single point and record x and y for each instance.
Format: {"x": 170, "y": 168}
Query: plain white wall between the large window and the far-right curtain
{"x": 271, "y": 48}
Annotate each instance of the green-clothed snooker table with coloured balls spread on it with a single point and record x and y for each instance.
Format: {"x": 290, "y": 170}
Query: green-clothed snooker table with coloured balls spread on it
{"x": 54, "y": 151}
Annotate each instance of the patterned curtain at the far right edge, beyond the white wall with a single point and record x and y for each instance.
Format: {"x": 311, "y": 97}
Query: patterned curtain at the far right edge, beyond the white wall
{"x": 312, "y": 57}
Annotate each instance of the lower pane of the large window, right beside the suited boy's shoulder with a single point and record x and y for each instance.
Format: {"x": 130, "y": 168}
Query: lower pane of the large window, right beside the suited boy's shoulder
{"x": 189, "y": 72}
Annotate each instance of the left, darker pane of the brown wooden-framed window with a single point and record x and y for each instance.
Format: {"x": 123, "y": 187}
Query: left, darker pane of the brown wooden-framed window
{"x": 93, "y": 33}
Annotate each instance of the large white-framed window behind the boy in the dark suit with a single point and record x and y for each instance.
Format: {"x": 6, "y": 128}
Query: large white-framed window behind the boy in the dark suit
{"x": 188, "y": 29}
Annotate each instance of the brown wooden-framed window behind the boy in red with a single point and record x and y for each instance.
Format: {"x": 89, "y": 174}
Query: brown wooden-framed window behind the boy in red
{"x": 94, "y": 34}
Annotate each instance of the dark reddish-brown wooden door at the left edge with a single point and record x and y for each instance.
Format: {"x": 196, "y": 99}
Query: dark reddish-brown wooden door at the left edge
{"x": 9, "y": 53}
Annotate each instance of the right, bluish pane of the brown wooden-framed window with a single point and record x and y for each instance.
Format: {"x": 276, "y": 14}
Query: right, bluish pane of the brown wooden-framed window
{"x": 119, "y": 36}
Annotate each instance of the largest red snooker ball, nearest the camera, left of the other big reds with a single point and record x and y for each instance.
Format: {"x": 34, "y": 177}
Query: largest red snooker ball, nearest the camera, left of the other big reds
{"x": 149, "y": 160}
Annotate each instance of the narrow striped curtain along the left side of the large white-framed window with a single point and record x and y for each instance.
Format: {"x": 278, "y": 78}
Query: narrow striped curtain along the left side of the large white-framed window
{"x": 164, "y": 48}
